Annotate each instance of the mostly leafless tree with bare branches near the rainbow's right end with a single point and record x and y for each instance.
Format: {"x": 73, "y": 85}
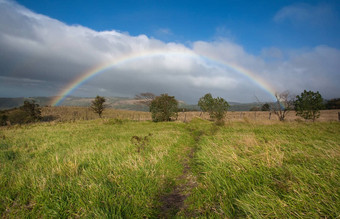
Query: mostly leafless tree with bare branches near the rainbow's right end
{"x": 284, "y": 103}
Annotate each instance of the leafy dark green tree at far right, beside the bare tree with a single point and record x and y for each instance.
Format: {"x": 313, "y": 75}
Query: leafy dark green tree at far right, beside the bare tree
{"x": 308, "y": 105}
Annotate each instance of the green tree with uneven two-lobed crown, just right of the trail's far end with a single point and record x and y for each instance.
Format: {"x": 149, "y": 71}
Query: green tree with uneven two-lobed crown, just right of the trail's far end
{"x": 216, "y": 107}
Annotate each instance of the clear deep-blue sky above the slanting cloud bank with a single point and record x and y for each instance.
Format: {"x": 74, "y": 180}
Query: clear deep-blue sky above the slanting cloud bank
{"x": 250, "y": 23}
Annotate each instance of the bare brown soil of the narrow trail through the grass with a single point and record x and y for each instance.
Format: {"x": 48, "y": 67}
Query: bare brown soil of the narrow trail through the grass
{"x": 173, "y": 202}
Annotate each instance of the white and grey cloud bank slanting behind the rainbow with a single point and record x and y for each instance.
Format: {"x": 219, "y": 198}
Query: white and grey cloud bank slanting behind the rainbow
{"x": 40, "y": 56}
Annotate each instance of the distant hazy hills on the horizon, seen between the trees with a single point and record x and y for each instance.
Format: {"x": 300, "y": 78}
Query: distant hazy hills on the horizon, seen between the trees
{"x": 113, "y": 102}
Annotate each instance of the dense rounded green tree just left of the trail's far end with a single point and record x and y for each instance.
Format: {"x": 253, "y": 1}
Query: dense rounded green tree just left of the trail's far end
{"x": 163, "y": 108}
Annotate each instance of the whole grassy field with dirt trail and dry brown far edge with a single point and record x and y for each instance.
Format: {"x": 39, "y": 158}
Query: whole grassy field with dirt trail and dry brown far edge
{"x": 126, "y": 167}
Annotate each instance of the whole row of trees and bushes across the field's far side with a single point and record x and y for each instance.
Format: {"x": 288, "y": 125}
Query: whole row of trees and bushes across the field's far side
{"x": 165, "y": 107}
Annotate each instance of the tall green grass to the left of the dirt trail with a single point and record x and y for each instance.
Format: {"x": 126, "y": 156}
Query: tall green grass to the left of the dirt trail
{"x": 87, "y": 169}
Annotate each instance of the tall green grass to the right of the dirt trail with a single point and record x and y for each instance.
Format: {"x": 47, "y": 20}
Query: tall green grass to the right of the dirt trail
{"x": 277, "y": 171}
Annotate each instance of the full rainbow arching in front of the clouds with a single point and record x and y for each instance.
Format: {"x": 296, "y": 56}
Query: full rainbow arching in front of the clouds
{"x": 76, "y": 83}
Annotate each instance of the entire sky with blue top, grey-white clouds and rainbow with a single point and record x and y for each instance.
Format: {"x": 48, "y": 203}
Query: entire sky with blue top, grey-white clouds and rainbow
{"x": 243, "y": 51}
